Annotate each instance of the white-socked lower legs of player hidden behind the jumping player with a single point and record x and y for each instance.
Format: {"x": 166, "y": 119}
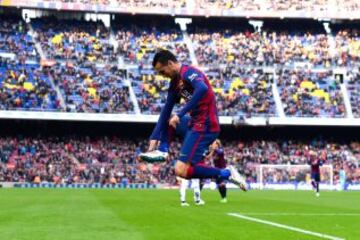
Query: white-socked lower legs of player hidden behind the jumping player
{"x": 195, "y": 185}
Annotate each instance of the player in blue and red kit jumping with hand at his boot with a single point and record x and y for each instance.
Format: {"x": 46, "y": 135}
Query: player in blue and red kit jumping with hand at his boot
{"x": 199, "y": 129}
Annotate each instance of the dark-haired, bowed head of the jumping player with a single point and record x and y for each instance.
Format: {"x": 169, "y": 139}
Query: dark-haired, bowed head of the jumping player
{"x": 166, "y": 64}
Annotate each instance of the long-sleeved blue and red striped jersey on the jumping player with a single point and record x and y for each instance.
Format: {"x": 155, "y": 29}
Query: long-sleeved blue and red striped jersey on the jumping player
{"x": 194, "y": 87}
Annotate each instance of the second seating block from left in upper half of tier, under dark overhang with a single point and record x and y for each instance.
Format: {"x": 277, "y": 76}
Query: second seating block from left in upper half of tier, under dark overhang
{"x": 75, "y": 40}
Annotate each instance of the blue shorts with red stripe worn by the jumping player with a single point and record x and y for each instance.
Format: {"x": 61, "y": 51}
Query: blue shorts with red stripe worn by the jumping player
{"x": 195, "y": 143}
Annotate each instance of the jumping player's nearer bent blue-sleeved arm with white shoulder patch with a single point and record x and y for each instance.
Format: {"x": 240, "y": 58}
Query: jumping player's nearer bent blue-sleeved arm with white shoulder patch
{"x": 200, "y": 88}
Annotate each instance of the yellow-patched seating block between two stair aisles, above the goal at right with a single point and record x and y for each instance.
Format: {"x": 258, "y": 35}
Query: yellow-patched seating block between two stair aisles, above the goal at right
{"x": 306, "y": 93}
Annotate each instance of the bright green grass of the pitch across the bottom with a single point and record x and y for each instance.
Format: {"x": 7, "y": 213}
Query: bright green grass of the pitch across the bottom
{"x": 156, "y": 214}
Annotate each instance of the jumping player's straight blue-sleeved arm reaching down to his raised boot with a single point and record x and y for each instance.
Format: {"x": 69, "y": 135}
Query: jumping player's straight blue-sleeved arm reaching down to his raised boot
{"x": 164, "y": 117}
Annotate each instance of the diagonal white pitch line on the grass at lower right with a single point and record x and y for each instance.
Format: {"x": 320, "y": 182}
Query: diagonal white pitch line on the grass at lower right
{"x": 321, "y": 235}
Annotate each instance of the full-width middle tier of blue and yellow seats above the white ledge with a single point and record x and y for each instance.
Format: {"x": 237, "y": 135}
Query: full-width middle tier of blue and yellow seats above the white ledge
{"x": 283, "y": 69}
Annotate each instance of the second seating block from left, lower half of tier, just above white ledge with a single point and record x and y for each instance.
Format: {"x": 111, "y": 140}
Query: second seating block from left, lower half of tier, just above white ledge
{"x": 93, "y": 89}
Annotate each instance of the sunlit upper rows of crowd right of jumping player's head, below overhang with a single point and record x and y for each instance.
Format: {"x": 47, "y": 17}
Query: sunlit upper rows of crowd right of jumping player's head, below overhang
{"x": 268, "y": 48}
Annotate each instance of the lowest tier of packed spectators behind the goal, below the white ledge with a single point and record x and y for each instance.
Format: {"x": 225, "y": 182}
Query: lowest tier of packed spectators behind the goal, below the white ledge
{"x": 115, "y": 160}
